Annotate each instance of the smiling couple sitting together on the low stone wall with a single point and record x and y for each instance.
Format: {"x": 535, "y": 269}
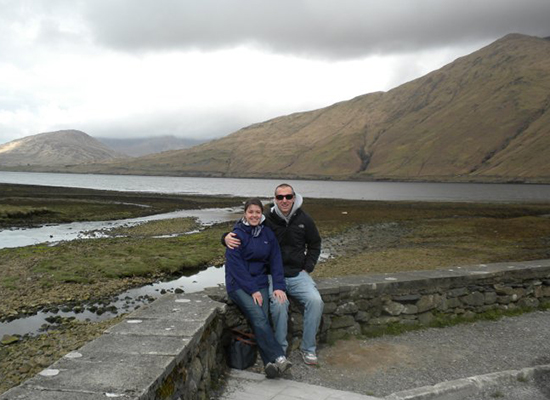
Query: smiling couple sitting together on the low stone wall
{"x": 267, "y": 257}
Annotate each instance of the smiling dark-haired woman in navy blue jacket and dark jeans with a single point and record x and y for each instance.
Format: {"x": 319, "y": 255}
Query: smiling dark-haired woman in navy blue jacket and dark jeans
{"x": 246, "y": 270}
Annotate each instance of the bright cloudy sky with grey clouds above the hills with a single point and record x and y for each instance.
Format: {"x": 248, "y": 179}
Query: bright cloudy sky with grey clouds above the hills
{"x": 205, "y": 68}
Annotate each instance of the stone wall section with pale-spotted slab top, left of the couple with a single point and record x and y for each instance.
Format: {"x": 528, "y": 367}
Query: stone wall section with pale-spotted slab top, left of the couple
{"x": 171, "y": 349}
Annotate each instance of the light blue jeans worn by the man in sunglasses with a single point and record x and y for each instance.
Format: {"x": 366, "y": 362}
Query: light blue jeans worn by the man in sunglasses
{"x": 302, "y": 288}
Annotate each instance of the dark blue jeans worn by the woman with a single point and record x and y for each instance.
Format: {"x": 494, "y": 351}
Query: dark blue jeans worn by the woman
{"x": 257, "y": 316}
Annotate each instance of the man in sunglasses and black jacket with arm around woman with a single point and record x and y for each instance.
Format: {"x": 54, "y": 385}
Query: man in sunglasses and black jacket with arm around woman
{"x": 300, "y": 247}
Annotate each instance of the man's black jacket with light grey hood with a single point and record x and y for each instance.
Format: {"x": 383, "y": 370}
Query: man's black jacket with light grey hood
{"x": 297, "y": 236}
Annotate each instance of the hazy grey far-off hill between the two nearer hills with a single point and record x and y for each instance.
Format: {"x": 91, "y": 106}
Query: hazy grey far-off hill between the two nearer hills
{"x": 136, "y": 147}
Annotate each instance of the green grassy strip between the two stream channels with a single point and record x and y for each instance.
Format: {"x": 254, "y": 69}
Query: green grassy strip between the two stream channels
{"x": 87, "y": 261}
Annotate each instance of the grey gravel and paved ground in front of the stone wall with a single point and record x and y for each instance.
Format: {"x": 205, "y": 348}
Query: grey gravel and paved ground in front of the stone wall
{"x": 508, "y": 359}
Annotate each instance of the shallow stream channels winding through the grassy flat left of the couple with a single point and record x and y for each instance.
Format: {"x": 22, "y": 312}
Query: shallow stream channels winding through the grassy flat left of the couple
{"x": 124, "y": 302}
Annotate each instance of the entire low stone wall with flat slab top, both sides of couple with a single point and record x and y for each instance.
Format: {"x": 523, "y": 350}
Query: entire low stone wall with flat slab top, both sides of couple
{"x": 174, "y": 348}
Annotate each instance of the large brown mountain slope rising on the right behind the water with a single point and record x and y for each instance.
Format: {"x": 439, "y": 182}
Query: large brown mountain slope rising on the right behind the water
{"x": 483, "y": 117}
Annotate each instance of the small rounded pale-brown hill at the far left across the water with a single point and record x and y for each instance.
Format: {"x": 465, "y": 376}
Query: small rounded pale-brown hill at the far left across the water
{"x": 59, "y": 148}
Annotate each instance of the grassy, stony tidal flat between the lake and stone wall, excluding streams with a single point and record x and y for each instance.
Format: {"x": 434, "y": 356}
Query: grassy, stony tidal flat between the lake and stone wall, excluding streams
{"x": 359, "y": 237}
